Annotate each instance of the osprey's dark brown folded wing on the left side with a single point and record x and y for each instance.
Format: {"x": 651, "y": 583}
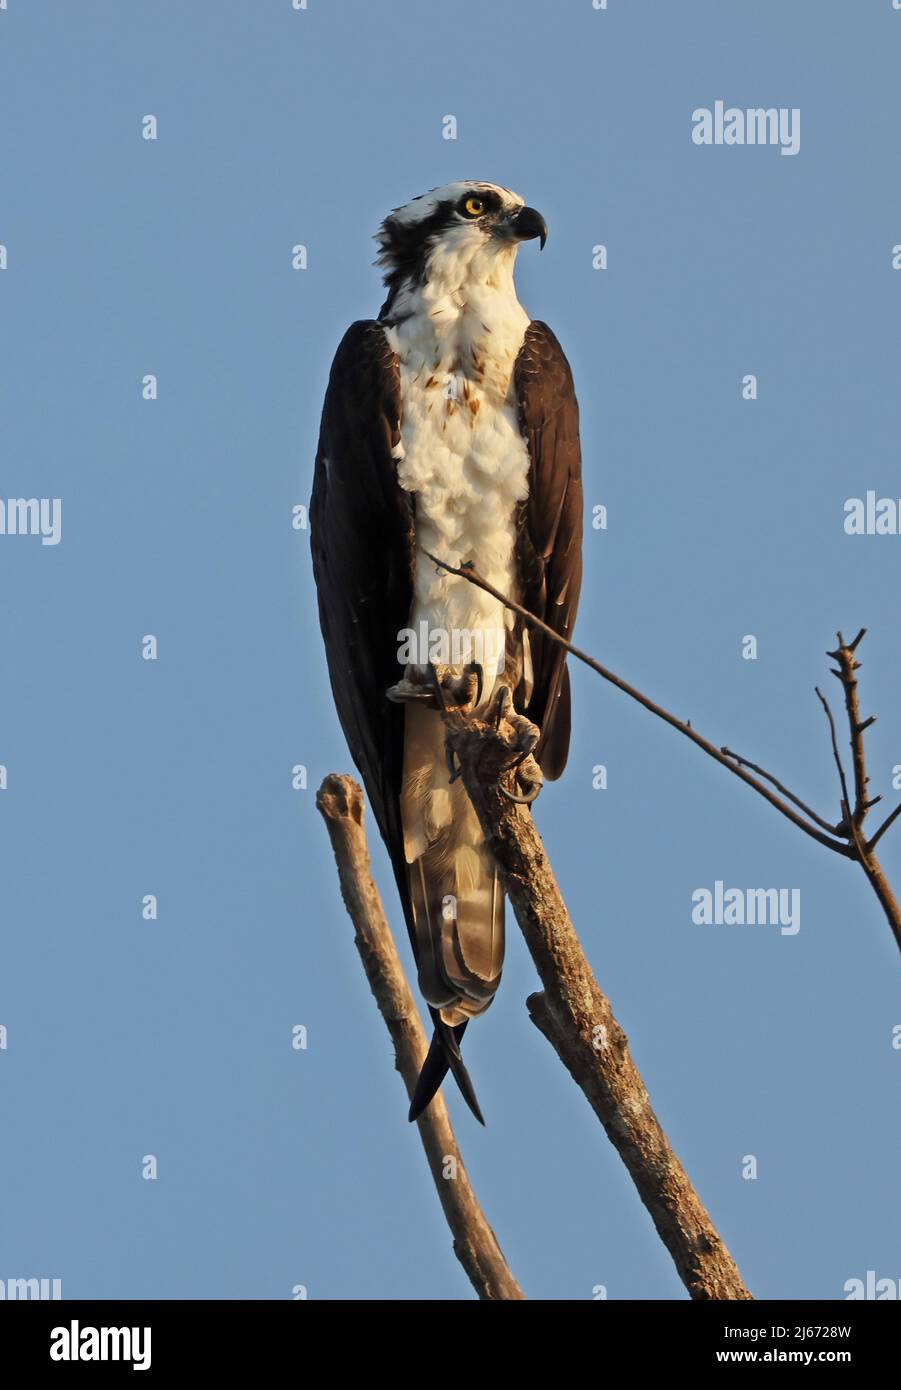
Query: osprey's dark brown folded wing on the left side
{"x": 362, "y": 540}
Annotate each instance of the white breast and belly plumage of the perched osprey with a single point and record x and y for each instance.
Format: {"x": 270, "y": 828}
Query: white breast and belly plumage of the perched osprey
{"x": 462, "y": 452}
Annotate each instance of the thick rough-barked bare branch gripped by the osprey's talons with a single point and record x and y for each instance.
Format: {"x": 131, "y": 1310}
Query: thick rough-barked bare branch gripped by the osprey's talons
{"x": 578, "y": 1020}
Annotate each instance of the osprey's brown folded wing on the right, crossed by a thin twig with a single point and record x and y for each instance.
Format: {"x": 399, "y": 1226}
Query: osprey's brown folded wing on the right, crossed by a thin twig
{"x": 550, "y": 532}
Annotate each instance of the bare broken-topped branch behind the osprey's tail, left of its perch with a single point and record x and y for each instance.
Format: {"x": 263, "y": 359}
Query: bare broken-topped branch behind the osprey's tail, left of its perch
{"x": 340, "y": 803}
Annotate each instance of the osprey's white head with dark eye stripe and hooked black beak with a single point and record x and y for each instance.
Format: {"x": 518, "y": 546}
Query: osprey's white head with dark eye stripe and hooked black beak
{"x": 466, "y": 231}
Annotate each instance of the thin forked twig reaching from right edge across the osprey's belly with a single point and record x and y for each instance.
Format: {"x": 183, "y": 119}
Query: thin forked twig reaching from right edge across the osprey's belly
{"x": 846, "y": 837}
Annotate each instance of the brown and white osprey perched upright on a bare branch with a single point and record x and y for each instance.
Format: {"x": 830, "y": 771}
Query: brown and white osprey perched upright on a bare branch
{"x": 450, "y": 427}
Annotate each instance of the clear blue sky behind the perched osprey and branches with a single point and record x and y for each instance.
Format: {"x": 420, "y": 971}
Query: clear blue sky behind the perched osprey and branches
{"x": 173, "y": 778}
